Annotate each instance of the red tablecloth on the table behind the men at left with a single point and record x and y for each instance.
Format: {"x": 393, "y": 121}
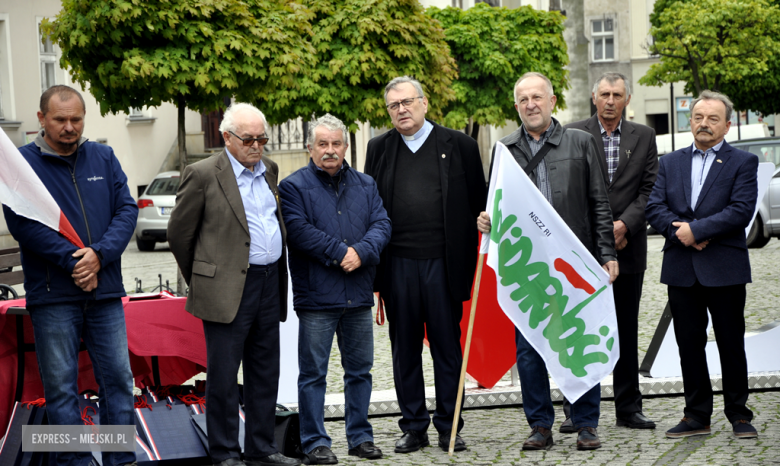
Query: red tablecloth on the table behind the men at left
{"x": 156, "y": 326}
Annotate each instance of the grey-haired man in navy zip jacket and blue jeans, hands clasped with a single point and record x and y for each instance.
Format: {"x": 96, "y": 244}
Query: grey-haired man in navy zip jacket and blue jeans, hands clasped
{"x": 336, "y": 229}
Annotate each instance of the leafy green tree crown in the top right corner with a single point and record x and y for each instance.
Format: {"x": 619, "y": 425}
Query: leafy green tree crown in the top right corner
{"x": 730, "y": 46}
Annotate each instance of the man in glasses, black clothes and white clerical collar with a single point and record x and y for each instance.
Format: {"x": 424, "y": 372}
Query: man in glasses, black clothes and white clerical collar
{"x": 432, "y": 184}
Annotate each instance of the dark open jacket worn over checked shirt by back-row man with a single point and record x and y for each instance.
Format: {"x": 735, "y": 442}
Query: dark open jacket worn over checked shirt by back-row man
{"x": 630, "y": 186}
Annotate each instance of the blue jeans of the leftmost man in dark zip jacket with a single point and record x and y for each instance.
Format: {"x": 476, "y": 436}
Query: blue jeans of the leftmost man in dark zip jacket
{"x": 58, "y": 329}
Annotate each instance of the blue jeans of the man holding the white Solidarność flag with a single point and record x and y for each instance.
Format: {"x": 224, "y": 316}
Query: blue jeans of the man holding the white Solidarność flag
{"x": 535, "y": 385}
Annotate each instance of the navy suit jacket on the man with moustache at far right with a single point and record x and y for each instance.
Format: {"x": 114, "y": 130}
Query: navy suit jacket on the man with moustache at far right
{"x": 722, "y": 212}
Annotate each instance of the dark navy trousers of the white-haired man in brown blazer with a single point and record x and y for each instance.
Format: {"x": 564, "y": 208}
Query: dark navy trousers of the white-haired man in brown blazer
{"x": 253, "y": 337}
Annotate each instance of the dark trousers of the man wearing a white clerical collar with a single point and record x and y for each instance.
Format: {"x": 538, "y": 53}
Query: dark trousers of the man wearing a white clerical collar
{"x": 420, "y": 299}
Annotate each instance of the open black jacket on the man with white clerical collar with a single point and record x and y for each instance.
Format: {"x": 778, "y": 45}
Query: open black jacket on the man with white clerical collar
{"x": 464, "y": 195}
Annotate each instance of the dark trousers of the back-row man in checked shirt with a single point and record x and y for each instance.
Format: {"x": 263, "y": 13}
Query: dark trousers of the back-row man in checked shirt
{"x": 625, "y": 377}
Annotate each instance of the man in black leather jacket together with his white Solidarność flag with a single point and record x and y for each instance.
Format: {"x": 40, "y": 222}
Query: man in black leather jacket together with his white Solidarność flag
{"x": 547, "y": 262}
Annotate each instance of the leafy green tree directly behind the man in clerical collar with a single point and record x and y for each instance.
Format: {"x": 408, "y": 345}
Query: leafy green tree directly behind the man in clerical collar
{"x": 362, "y": 45}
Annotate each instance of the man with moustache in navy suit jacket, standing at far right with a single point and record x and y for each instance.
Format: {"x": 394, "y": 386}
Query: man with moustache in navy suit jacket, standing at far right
{"x": 702, "y": 202}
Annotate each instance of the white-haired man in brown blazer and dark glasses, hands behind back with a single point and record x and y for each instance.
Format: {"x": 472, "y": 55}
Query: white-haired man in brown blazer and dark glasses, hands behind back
{"x": 227, "y": 235}
